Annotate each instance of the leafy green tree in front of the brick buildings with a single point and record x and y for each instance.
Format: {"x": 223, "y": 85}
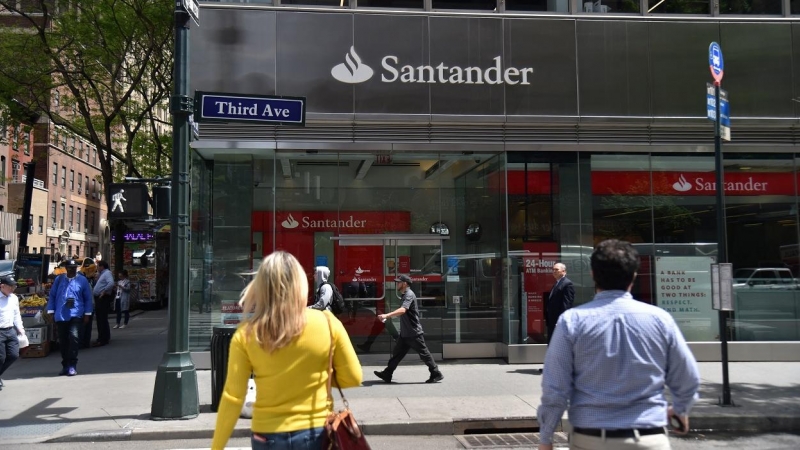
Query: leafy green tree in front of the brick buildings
{"x": 110, "y": 64}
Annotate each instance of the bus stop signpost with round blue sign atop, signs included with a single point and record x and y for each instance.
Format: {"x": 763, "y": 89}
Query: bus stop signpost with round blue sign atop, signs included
{"x": 717, "y": 66}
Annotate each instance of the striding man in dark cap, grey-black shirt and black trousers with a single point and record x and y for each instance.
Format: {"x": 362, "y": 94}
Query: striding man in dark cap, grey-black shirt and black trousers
{"x": 411, "y": 334}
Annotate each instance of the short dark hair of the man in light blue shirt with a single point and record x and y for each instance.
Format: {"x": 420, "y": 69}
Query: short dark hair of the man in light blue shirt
{"x": 614, "y": 265}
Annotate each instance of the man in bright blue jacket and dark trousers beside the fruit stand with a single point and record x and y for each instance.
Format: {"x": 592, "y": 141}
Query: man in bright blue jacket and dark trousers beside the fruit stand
{"x": 70, "y": 305}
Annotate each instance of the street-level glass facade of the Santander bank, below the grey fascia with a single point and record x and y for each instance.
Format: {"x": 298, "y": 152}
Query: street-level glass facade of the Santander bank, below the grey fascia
{"x": 480, "y": 232}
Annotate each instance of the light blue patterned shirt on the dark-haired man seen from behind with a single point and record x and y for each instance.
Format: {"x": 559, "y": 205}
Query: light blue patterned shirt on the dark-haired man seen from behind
{"x": 608, "y": 363}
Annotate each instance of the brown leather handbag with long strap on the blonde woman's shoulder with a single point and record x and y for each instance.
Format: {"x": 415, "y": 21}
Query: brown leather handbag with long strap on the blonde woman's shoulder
{"x": 341, "y": 429}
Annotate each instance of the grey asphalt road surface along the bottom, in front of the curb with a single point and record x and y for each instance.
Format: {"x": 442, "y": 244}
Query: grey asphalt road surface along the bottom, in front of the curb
{"x": 694, "y": 442}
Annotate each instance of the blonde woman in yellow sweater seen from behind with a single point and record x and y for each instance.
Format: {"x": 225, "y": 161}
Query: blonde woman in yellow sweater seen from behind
{"x": 286, "y": 346}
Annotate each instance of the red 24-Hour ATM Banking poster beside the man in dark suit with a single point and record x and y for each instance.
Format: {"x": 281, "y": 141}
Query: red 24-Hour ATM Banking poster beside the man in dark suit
{"x": 537, "y": 279}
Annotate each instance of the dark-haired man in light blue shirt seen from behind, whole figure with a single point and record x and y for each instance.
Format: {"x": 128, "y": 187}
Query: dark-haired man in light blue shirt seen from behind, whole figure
{"x": 608, "y": 363}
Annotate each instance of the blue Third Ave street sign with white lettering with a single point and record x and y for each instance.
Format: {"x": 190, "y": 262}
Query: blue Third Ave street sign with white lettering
{"x": 212, "y": 106}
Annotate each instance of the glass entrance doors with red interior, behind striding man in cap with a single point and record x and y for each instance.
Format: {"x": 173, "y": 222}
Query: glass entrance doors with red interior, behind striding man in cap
{"x": 366, "y": 267}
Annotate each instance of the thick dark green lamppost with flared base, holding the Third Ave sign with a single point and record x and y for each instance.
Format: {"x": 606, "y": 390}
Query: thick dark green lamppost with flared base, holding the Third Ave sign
{"x": 175, "y": 395}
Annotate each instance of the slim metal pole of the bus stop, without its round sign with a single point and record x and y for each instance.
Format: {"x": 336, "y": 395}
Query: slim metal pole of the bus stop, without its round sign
{"x": 722, "y": 242}
